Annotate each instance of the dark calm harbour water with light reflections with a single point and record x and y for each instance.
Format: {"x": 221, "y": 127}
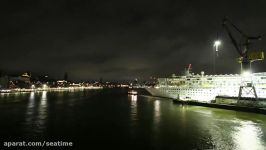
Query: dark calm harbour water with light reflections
{"x": 111, "y": 119}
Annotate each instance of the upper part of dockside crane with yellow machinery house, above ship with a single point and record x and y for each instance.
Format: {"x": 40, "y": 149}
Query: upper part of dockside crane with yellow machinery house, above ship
{"x": 243, "y": 49}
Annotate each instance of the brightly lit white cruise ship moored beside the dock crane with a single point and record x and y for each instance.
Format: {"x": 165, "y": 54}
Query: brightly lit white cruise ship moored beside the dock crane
{"x": 205, "y": 88}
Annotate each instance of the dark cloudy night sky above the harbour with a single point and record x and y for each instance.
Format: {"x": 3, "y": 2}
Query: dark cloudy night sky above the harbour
{"x": 120, "y": 39}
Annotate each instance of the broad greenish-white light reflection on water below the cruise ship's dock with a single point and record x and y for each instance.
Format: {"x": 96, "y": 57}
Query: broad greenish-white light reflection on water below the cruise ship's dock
{"x": 228, "y": 130}
